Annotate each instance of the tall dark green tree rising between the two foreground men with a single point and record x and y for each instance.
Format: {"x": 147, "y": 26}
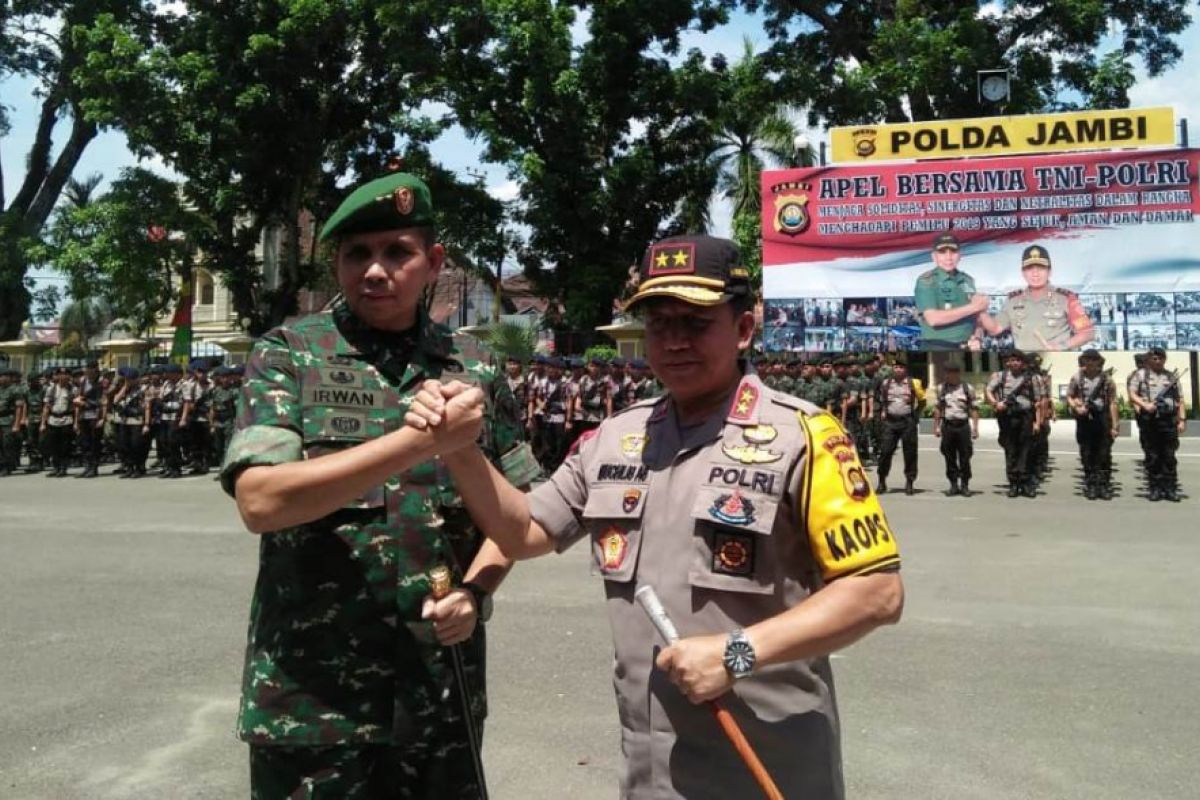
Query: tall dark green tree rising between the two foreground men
{"x": 604, "y": 137}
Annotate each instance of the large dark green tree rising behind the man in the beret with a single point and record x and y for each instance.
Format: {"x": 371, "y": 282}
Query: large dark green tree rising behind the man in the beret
{"x": 266, "y": 109}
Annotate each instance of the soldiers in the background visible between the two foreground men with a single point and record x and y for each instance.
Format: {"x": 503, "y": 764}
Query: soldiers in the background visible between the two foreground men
{"x": 561, "y": 400}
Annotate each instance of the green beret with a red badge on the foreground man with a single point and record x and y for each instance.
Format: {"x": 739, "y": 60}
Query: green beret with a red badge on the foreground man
{"x": 398, "y": 201}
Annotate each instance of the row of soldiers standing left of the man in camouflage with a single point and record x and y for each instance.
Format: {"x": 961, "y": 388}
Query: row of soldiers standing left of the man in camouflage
{"x": 59, "y": 417}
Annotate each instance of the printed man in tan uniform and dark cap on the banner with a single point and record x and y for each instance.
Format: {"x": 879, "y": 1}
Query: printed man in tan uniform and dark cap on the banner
{"x": 1041, "y": 317}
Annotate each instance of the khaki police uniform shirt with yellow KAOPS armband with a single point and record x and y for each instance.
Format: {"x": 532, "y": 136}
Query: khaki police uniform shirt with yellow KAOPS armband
{"x": 733, "y": 521}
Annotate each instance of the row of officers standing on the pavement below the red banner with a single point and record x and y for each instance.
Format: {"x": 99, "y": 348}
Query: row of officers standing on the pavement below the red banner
{"x": 880, "y": 406}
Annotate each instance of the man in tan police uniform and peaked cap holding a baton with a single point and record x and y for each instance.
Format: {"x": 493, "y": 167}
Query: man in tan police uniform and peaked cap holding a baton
{"x": 747, "y": 510}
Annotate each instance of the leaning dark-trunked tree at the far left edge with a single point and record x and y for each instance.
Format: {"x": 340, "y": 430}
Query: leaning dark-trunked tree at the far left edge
{"x": 46, "y": 44}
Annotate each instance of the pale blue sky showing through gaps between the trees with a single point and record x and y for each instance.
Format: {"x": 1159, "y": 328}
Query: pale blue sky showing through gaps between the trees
{"x": 109, "y": 153}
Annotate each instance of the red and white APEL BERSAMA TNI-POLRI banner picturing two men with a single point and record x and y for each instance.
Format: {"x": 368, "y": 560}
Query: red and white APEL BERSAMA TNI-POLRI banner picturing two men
{"x": 1067, "y": 242}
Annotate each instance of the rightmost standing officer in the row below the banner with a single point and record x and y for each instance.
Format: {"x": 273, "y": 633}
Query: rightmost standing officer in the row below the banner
{"x": 1160, "y": 402}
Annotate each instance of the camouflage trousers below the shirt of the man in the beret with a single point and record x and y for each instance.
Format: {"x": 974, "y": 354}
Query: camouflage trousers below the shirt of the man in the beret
{"x": 429, "y": 772}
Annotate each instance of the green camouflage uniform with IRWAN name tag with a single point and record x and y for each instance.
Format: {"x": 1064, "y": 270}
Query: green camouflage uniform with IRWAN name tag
{"x": 339, "y": 660}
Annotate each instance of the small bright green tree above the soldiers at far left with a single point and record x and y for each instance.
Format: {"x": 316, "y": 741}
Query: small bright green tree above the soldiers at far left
{"x": 125, "y": 248}
